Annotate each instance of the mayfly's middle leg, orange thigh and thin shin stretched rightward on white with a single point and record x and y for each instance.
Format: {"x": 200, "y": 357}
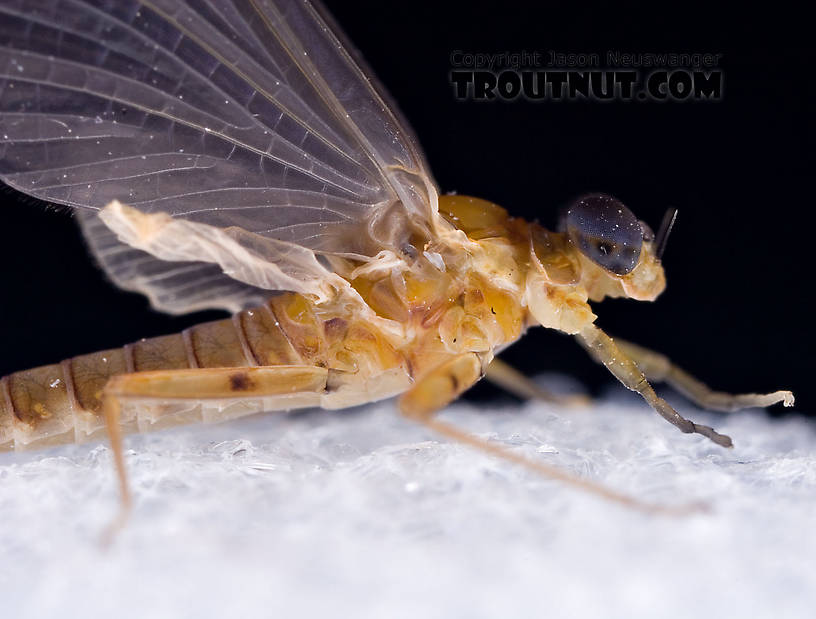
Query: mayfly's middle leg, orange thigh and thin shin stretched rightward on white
{"x": 448, "y": 381}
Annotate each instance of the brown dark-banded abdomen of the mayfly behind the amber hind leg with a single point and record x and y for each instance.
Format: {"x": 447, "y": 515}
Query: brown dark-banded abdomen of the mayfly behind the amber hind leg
{"x": 61, "y": 403}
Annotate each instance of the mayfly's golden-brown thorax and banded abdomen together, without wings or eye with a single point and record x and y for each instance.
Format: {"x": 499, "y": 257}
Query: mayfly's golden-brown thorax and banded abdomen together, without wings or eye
{"x": 472, "y": 290}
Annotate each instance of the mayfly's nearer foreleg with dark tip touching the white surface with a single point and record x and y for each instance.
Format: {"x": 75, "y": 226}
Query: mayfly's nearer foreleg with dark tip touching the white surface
{"x": 605, "y": 351}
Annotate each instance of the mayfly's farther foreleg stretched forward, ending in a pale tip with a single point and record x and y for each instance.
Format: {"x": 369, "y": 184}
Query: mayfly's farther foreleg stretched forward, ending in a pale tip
{"x": 657, "y": 367}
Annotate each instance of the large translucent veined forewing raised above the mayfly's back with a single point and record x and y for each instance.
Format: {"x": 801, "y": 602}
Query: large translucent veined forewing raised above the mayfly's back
{"x": 236, "y": 113}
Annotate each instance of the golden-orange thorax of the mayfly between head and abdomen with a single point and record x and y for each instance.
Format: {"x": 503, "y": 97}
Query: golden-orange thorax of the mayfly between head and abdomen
{"x": 473, "y": 287}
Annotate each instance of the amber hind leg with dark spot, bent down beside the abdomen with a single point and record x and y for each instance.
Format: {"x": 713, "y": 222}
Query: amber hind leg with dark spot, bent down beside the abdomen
{"x": 281, "y": 387}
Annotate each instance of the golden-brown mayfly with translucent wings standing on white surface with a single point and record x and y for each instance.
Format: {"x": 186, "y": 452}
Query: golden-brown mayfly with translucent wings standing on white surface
{"x": 237, "y": 154}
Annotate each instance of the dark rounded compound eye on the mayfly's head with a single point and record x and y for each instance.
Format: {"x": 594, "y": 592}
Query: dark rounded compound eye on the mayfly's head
{"x": 605, "y": 231}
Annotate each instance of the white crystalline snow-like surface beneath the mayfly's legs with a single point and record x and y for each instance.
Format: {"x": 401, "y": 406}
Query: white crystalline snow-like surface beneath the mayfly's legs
{"x": 362, "y": 514}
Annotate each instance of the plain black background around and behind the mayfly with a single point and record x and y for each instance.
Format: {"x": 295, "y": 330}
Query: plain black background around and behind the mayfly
{"x": 740, "y": 262}
